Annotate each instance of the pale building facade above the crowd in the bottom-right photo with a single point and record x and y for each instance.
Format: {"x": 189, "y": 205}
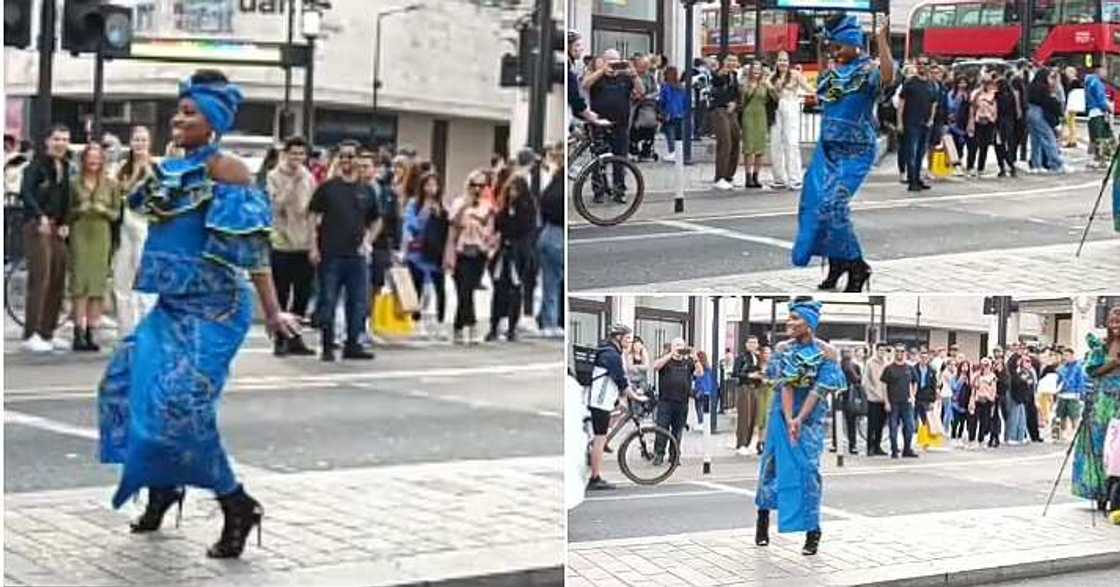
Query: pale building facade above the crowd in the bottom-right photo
{"x": 914, "y": 321}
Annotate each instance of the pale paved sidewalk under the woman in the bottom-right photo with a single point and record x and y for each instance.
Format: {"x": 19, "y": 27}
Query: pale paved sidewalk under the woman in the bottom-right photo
{"x": 918, "y": 549}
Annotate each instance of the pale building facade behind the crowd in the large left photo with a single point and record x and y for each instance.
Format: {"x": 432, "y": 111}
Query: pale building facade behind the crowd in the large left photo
{"x": 440, "y": 74}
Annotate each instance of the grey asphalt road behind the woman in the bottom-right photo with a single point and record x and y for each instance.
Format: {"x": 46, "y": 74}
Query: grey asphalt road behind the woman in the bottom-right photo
{"x": 880, "y": 488}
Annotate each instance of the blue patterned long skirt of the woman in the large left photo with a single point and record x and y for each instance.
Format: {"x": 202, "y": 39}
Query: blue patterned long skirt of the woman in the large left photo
{"x": 158, "y": 400}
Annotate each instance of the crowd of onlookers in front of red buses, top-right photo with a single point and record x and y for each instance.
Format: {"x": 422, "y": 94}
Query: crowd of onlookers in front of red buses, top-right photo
{"x": 1019, "y": 114}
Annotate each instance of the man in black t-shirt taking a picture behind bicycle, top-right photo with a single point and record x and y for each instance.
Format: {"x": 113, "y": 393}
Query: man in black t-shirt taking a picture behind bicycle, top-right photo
{"x": 612, "y": 89}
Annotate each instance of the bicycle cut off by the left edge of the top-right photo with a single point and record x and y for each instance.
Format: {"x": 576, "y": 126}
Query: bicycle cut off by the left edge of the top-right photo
{"x": 590, "y": 160}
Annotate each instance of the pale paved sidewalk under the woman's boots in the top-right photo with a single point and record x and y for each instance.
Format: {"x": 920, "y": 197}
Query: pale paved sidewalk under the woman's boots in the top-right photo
{"x": 1020, "y": 271}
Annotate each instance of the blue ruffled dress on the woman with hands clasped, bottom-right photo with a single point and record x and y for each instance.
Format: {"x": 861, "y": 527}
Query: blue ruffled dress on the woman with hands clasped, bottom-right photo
{"x": 790, "y": 474}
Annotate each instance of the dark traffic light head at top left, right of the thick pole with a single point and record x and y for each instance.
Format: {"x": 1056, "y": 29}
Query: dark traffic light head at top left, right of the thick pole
{"x": 92, "y": 25}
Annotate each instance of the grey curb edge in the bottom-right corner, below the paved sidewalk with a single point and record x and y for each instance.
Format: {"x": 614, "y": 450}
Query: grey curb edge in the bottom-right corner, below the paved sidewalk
{"x": 1030, "y": 571}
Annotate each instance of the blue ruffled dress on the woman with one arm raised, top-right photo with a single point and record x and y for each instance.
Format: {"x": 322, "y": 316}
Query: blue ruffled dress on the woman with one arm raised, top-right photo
{"x": 844, "y": 159}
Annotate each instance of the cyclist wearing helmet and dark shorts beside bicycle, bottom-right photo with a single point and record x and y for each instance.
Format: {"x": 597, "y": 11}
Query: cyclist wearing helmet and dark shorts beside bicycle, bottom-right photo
{"x": 609, "y": 383}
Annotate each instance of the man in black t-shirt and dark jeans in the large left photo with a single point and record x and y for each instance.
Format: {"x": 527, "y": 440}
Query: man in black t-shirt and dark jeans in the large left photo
{"x": 343, "y": 218}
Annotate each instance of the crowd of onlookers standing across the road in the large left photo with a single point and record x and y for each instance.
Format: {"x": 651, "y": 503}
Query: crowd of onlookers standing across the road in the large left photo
{"x": 368, "y": 222}
